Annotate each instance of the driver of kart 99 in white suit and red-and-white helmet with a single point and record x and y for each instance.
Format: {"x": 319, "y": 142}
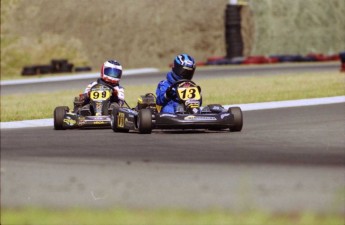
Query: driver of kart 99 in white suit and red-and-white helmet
{"x": 111, "y": 73}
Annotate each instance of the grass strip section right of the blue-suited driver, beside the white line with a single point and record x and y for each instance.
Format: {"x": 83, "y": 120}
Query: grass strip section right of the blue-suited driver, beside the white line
{"x": 273, "y": 88}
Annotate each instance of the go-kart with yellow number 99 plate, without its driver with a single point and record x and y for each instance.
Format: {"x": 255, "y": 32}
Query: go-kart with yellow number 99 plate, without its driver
{"x": 94, "y": 114}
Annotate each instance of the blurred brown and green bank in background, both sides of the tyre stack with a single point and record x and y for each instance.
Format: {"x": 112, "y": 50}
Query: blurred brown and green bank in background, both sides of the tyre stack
{"x": 149, "y": 33}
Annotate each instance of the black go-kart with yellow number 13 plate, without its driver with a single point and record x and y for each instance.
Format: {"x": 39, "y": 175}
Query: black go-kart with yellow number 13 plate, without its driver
{"x": 189, "y": 114}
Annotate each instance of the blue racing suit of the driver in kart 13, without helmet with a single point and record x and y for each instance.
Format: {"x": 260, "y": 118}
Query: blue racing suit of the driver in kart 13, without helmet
{"x": 169, "y": 105}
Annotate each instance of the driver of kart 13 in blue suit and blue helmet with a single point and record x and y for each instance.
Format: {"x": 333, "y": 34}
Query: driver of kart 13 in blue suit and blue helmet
{"x": 183, "y": 68}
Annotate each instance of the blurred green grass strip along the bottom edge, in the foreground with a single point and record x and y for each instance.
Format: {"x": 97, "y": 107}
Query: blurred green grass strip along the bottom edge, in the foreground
{"x": 38, "y": 216}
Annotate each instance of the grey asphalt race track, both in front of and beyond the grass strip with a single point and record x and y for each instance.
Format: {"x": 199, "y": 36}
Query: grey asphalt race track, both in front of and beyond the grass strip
{"x": 284, "y": 160}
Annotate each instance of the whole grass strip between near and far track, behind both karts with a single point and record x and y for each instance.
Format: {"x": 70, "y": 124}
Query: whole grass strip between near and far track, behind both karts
{"x": 223, "y": 91}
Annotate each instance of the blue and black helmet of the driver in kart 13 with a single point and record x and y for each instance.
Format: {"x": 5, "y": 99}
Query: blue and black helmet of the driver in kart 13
{"x": 184, "y": 66}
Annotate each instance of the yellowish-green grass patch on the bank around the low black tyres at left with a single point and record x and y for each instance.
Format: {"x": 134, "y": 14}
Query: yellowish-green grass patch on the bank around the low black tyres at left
{"x": 14, "y": 54}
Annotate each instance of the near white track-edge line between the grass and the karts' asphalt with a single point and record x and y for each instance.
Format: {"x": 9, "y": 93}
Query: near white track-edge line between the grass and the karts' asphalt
{"x": 245, "y": 107}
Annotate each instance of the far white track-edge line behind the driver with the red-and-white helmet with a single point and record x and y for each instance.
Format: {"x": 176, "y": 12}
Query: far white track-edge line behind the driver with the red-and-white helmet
{"x": 74, "y": 77}
